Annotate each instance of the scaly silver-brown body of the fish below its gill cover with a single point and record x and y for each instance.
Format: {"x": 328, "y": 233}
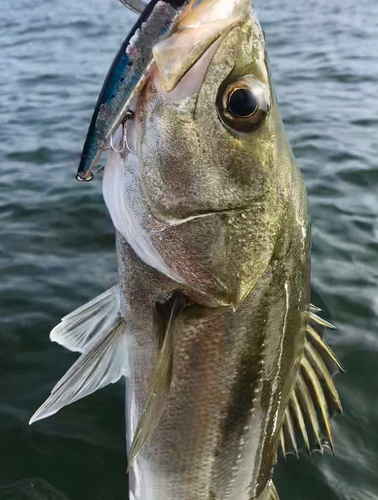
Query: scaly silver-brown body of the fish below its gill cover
{"x": 218, "y": 436}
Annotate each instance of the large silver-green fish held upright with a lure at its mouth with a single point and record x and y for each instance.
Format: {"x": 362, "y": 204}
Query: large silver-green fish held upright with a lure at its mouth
{"x": 211, "y": 323}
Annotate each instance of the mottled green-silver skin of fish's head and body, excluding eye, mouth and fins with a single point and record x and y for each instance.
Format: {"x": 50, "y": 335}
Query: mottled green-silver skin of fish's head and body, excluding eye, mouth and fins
{"x": 246, "y": 273}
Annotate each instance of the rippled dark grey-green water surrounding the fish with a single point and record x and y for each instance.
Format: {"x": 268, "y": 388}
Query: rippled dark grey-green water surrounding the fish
{"x": 57, "y": 245}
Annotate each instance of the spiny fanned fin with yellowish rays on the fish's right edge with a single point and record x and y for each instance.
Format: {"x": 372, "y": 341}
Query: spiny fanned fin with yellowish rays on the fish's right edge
{"x": 313, "y": 390}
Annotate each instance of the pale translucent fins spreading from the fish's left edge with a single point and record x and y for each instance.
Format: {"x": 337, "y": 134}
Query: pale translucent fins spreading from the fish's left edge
{"x": 97, "y": 331}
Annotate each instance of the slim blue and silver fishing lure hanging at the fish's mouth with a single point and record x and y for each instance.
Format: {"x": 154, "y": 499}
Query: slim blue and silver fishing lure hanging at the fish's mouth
{"x": 126, "y": 75}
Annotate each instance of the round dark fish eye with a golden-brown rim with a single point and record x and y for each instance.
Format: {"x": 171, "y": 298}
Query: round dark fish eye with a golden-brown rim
{"x": 243, "y": 104}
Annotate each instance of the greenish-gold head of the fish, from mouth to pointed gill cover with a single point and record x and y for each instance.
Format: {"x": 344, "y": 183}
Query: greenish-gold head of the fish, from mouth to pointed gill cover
{"x": 216, "y": 169}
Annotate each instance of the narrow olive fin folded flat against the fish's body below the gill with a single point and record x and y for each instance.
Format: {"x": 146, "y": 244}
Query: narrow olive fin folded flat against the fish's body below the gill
{"x": 154, "y": 406}
